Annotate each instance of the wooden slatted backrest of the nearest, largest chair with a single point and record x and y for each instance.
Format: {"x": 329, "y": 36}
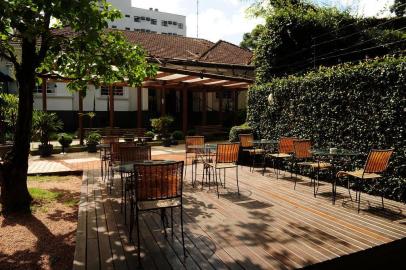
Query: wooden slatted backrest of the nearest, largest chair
{"x": 159, "y": 181}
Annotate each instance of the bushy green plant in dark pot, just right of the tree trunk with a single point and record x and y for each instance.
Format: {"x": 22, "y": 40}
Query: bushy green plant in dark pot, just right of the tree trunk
{"x": 44, "y": 124}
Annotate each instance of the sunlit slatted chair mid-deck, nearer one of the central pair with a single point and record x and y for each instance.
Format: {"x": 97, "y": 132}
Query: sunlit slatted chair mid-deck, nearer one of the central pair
{"x": 226, "y": 158}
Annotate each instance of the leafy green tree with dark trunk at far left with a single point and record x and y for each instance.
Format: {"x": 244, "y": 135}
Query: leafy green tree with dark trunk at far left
{"x": 42, "y": 48}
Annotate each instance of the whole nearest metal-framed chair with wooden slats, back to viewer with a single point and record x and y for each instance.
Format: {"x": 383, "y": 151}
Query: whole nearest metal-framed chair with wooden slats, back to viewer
{"x": 157, "y": 186}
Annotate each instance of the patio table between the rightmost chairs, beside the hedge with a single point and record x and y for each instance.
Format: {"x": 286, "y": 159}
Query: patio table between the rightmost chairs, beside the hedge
{"x": 335, "y": 157}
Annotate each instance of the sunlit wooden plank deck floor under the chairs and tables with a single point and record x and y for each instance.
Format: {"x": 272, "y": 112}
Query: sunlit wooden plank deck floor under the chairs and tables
{"x": 269, "y": 226}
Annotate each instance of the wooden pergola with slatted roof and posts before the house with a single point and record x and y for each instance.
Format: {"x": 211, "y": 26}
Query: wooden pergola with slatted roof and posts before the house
{"x": 184, "y": 76}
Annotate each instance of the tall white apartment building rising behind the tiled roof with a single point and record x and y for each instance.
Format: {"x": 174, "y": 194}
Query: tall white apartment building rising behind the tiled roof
{"x": 147, "y": 20}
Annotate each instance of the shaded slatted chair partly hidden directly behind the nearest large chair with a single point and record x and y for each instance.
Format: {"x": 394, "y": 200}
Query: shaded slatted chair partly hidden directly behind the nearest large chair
{"x": 129, "y": 155}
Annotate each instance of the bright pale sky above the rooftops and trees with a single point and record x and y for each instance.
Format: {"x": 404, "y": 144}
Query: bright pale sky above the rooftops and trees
{"x": 227, "y": 20}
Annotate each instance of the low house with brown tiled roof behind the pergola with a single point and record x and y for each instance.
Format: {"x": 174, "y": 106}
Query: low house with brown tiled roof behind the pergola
{"x": 199, "y": 83}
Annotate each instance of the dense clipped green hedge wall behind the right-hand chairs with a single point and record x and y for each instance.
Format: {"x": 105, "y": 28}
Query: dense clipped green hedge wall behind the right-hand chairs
{"x": 357, "y": 107}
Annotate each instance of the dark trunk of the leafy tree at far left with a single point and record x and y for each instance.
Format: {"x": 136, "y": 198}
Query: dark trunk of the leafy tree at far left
{"x": 13, "y": 173}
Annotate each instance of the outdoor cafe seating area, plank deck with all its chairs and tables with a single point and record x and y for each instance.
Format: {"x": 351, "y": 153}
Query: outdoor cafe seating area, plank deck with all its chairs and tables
{"x": 216, "y": 207}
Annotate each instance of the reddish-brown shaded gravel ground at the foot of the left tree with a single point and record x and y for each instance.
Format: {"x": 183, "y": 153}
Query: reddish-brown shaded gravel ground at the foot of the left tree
{"x": 44, "y": 239}
